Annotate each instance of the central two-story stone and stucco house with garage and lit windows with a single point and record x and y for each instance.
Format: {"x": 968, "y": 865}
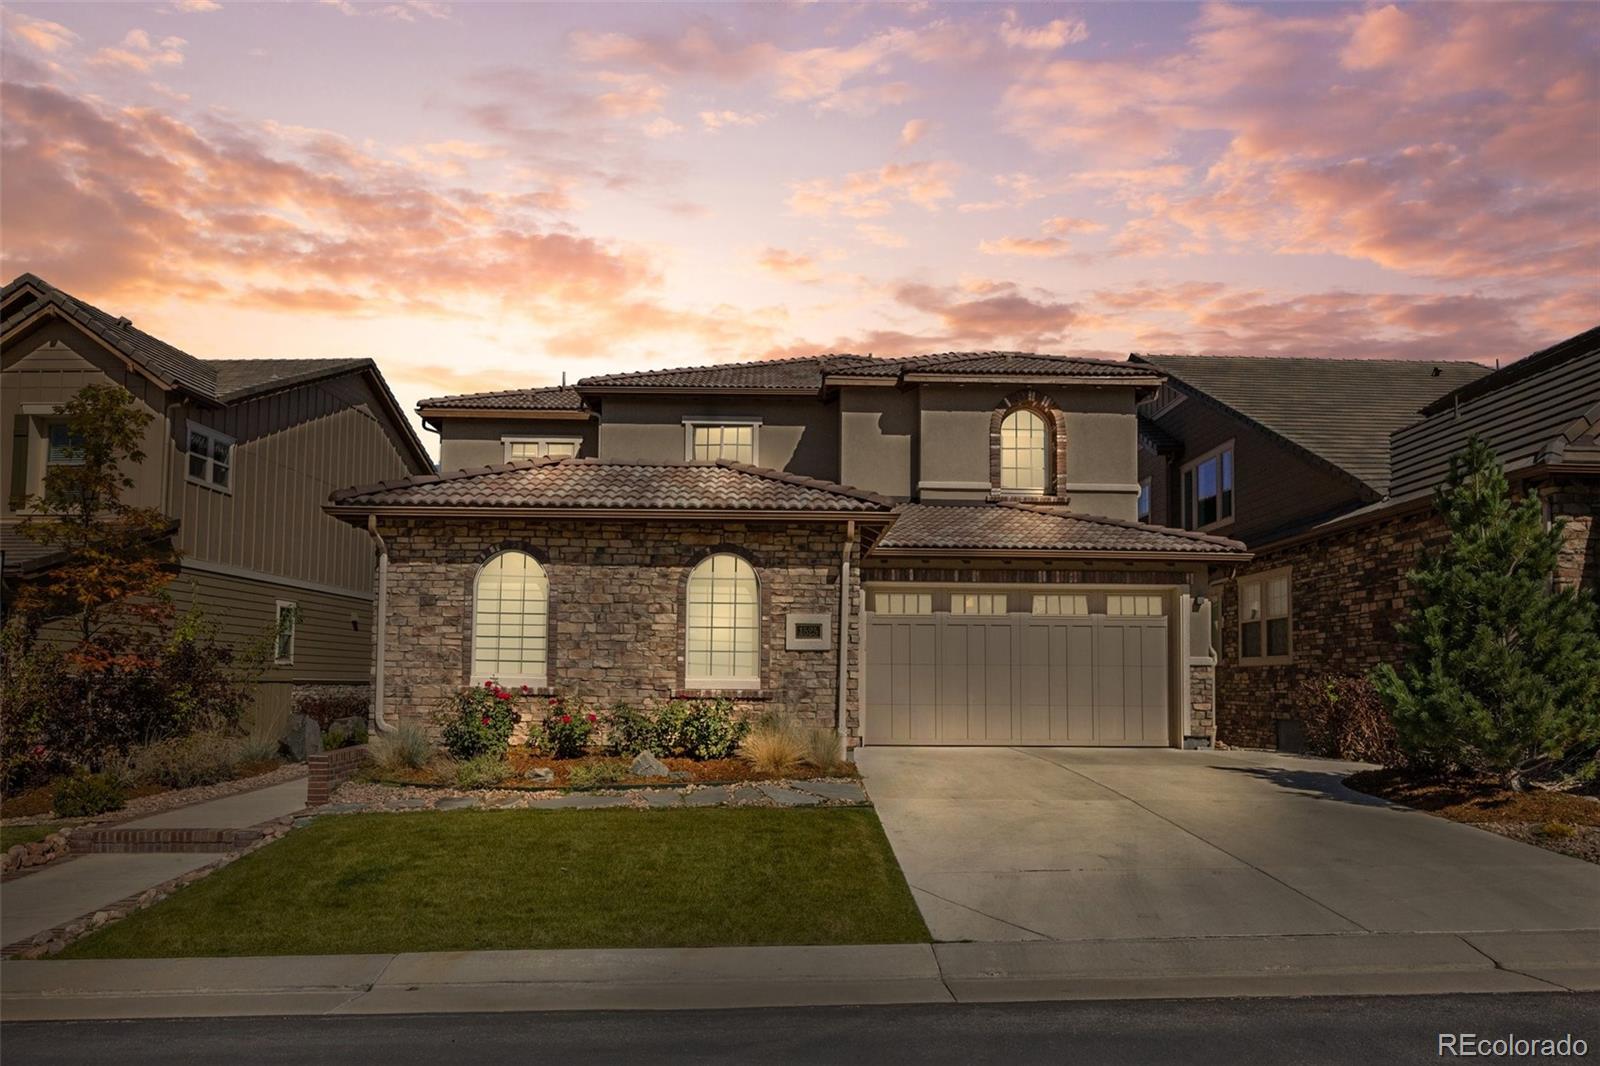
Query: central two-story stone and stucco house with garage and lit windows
{"x": 919, "y": 551}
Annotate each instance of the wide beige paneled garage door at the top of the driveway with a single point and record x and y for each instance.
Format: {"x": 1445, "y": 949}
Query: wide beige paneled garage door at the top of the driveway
{"x": 1015, "y": 679}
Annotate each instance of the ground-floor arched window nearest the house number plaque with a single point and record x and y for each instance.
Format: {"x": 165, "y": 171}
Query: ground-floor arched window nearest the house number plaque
{"x": 722, "y": 627}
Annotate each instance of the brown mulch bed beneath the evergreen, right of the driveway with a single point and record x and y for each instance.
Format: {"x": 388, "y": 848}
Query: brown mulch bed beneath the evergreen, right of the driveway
{"x": 1559, "y": 822}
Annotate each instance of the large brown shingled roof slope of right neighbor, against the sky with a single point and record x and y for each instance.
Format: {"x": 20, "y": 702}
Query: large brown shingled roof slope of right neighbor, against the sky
{"x": 1338, "y": 411}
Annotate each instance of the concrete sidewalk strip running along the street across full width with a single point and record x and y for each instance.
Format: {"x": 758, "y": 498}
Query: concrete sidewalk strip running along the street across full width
{"x": 1340, "y": 964}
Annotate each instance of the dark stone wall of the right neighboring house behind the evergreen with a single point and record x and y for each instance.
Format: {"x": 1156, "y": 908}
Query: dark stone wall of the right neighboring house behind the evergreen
{"x": 1348, "y": 596}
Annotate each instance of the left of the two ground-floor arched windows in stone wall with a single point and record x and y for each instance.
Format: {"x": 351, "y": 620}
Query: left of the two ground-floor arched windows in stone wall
{"x": 511, "y": 606}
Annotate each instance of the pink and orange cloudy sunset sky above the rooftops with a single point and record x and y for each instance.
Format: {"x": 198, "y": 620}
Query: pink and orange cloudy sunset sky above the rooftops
{"x": 486, "y": 196}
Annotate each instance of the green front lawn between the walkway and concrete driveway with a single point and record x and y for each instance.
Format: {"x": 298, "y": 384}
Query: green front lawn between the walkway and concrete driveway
{"x": 462, "y": 881}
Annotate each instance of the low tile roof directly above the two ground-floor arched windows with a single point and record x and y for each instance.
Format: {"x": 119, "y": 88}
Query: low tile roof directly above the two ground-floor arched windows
{"x": 620, "y": 486}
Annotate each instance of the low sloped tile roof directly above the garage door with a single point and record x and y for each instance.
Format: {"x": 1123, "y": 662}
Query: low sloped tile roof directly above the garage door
{"x": 1033, "y": 527}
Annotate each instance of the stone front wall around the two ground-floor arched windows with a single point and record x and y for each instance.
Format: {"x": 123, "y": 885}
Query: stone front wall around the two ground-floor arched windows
{"x": 617, "y": 595}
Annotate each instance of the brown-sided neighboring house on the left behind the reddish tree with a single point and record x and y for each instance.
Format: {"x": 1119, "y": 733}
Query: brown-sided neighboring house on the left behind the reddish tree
{"x": 241, "y": 455}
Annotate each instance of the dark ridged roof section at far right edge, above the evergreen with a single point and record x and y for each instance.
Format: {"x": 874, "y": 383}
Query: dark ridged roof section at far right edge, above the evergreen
{"x": 1532, "y": 412}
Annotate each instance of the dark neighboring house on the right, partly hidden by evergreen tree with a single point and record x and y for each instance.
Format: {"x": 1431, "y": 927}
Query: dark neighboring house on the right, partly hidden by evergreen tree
{"x": 1327, "y": 470}
